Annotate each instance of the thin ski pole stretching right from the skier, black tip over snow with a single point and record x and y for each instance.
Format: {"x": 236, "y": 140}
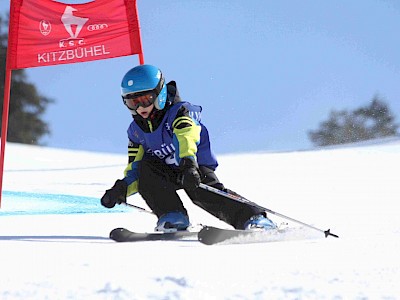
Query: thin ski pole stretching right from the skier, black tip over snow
{"x": 244, "y": 200}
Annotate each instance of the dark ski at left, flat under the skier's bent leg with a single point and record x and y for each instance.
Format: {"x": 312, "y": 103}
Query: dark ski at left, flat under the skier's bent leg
{"x": 125, "y": 235}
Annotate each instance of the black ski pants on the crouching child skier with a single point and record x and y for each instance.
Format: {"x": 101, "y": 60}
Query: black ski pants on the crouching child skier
{"x": 158, "y": 184}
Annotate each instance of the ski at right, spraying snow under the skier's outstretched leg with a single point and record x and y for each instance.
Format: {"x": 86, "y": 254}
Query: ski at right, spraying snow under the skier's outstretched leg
{"x": 212, "y": 235}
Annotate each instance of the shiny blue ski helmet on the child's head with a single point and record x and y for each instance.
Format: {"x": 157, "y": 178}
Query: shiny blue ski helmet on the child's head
{"x": 144, "y": 78}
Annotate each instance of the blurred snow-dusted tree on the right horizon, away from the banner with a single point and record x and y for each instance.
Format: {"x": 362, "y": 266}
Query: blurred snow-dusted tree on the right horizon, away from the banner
{"x": 370, "y": 122}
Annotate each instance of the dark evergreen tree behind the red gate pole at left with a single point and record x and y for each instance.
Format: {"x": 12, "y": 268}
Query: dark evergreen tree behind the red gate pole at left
{"x": 26, "y": 104}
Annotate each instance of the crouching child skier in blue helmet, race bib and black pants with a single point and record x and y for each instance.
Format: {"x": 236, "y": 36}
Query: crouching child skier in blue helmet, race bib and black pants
{"x": 169, "y": 149}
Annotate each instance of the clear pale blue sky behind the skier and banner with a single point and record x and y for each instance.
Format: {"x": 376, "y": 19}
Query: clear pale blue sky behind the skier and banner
{"x": 265, "y": 72}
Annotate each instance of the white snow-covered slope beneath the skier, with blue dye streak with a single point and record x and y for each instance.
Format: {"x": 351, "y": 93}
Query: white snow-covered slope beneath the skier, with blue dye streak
{"x": 54, "y": 245}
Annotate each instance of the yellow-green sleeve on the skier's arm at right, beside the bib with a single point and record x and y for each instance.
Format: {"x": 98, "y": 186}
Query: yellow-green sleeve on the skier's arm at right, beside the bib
{"x": 186, "y": 134}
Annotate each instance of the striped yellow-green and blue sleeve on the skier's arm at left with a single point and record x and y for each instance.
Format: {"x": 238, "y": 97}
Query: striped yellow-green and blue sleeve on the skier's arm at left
{"x": 135, "y": 155}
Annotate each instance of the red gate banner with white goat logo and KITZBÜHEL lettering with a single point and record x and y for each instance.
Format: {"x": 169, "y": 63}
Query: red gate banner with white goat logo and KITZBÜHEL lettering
{"x": 45, "y": 32}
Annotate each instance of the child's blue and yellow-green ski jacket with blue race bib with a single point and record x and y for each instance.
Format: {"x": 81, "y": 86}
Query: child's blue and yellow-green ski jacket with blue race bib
{"x": 168, "y": 135}
